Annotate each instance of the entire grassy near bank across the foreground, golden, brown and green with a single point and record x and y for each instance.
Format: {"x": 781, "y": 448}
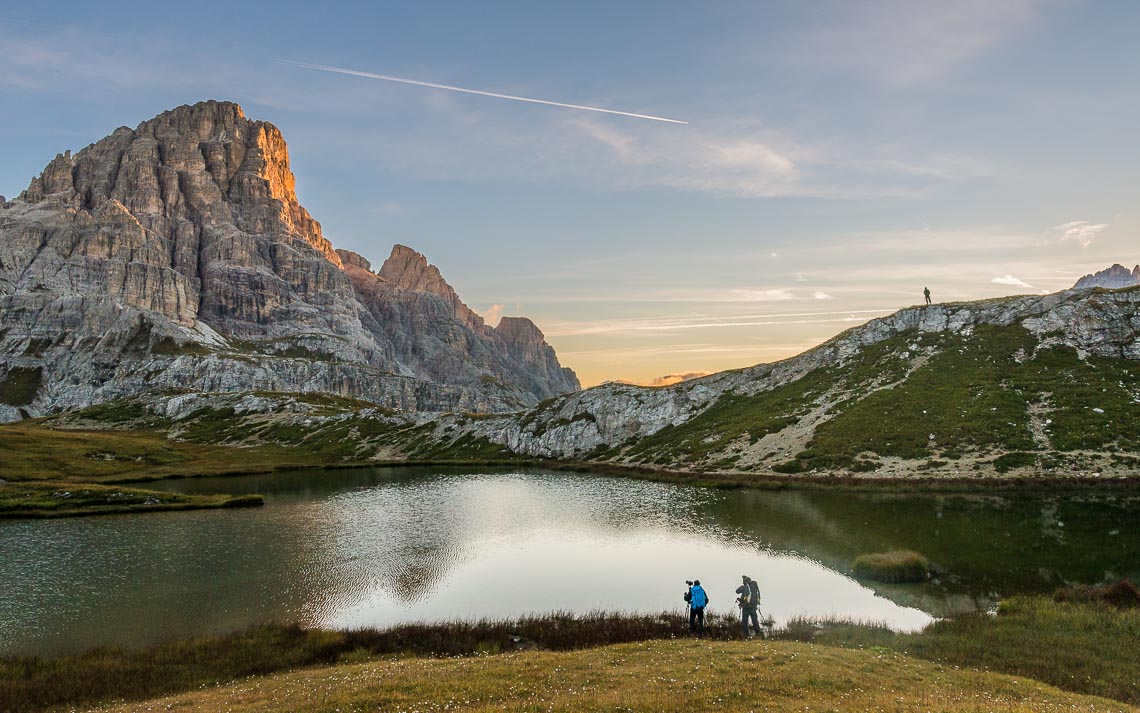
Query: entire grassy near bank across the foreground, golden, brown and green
{"x": 1084, "y": 647}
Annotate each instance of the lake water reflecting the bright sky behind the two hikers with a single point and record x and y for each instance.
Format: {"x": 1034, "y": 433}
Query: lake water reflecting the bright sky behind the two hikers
{"x": 379, "y": 547}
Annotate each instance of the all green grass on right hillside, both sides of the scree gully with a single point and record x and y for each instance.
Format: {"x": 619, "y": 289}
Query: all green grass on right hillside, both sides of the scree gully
{"x": 974, "y": 395}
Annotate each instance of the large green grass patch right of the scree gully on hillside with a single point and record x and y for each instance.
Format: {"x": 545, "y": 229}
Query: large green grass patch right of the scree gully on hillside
{"x": 974, "y": 395}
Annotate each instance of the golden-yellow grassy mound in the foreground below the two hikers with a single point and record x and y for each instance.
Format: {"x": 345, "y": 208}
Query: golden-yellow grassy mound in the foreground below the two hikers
{"x": 659, "y": 676}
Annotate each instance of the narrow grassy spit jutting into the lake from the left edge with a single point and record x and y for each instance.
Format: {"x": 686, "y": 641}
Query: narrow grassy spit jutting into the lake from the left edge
{"x": 54, "y": 500}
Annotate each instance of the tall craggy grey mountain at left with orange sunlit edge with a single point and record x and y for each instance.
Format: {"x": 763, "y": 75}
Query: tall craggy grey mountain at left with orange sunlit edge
{"x": 176, "y": 258}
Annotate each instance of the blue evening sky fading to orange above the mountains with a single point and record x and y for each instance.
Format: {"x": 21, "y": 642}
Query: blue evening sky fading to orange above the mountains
{"x": 838, "y": 157}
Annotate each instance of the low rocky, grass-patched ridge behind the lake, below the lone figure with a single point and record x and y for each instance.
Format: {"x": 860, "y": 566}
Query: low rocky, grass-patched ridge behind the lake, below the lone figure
{"x": 1033, "y": 386}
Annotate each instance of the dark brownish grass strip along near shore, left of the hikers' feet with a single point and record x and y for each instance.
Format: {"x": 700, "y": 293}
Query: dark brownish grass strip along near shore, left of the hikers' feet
{"x": 35, "y": 684}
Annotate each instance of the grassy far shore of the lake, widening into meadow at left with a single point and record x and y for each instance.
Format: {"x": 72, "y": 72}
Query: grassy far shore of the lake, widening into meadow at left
{"x": 68, "y": 458}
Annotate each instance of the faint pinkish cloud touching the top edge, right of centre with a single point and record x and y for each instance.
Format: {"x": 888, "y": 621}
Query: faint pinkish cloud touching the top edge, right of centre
{"x": 902, "y": 43}
